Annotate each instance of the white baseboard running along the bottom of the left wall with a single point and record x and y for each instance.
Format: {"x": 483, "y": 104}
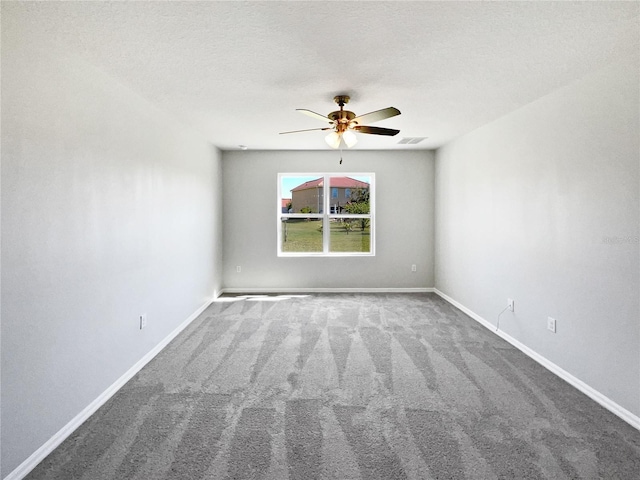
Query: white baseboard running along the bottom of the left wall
{"x": 36, "y": 457}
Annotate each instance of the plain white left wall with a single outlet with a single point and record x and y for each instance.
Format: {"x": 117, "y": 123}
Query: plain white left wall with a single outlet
{"x": 109, "y": 209}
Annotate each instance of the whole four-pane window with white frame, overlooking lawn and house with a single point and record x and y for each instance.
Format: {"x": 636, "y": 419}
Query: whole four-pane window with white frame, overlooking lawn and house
{"x": 330, "y": 214}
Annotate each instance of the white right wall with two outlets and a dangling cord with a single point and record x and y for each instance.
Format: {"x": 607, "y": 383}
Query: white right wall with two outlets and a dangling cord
{"x": 524, "y": 208}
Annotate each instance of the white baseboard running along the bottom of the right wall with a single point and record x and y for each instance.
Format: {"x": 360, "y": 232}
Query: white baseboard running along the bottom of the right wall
{"x": 589, "y": 391}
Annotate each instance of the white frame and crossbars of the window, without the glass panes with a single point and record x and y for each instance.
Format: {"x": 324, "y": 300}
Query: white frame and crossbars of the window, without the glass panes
{"x": 327, "y": 216}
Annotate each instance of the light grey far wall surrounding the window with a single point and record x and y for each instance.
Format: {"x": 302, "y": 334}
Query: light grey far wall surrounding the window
{"x": 404, "y": 221}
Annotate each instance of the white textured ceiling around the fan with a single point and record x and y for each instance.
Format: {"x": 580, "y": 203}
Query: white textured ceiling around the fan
{"x": 236, "y": 71}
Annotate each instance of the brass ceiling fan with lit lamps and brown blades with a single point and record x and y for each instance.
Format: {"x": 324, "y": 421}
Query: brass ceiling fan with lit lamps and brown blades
{"x": 343, "y": 123}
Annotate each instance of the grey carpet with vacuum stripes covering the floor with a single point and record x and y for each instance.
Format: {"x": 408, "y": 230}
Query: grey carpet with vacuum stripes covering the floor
{"x": 341, "y": 386}
